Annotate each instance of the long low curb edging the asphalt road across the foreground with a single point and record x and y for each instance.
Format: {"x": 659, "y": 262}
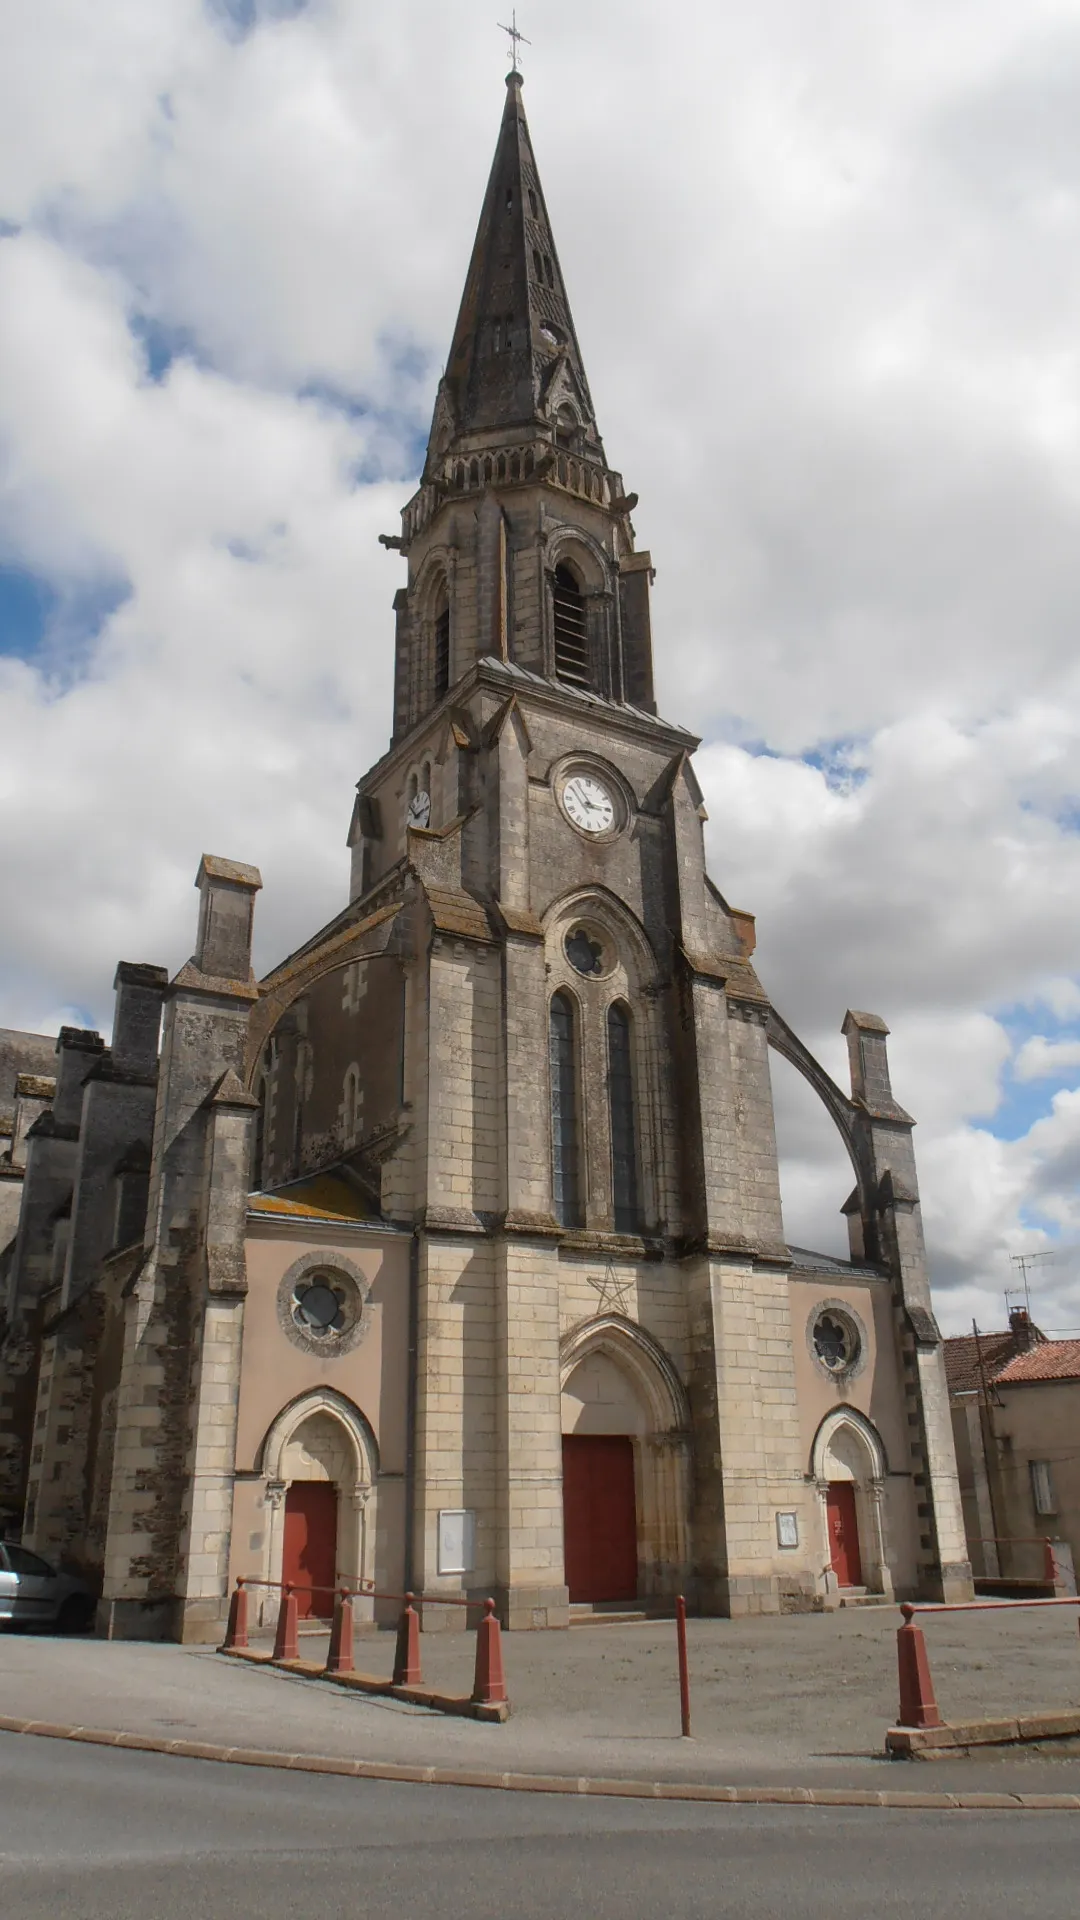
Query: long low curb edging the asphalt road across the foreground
{"x": 458, "y": 1777}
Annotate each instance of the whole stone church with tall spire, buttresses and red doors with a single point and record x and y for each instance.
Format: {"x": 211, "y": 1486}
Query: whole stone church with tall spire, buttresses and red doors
{"x": 449, "y": 1257}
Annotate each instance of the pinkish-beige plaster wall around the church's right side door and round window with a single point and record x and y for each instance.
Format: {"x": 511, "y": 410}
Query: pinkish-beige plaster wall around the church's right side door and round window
{"x": 875, "y": 1391}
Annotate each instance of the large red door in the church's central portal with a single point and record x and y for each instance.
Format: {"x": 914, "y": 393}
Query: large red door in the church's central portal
{"x": 601, "y": 1518}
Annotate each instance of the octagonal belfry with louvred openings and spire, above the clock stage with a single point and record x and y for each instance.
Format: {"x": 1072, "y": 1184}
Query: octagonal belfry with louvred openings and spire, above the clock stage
{"x": 520, "y": 537}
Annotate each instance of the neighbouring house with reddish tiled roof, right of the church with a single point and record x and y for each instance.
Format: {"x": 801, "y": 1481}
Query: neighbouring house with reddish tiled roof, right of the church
{"x": 1016, "y": 1404}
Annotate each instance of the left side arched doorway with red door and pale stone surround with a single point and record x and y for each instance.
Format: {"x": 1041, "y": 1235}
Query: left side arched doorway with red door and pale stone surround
{"x": 320, "y": 1466}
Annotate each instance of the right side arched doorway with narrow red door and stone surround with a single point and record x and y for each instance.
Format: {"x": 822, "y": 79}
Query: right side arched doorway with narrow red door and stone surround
{"x": 850, "y": 1474}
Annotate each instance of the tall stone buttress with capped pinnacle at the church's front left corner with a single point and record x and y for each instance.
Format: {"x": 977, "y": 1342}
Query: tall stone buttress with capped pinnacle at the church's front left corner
{"x": 168, "y": 1506}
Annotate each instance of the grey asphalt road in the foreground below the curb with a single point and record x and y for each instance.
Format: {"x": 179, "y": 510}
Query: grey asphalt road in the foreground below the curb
{"x": 91, "y": 1833}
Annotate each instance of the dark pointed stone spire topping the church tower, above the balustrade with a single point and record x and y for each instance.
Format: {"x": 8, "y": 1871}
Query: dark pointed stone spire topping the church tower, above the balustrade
{"x": 516, "y": 358}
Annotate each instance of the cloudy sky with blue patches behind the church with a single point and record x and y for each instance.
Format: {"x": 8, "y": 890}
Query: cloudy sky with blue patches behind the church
{"x": 825, "y": 264}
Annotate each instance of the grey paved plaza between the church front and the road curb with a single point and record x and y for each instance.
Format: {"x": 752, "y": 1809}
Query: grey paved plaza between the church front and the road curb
{"x": 775, "y": 1700}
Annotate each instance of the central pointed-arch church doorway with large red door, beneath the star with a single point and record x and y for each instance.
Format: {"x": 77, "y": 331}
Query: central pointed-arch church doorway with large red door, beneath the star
{"x": 626, "y": 1466}
